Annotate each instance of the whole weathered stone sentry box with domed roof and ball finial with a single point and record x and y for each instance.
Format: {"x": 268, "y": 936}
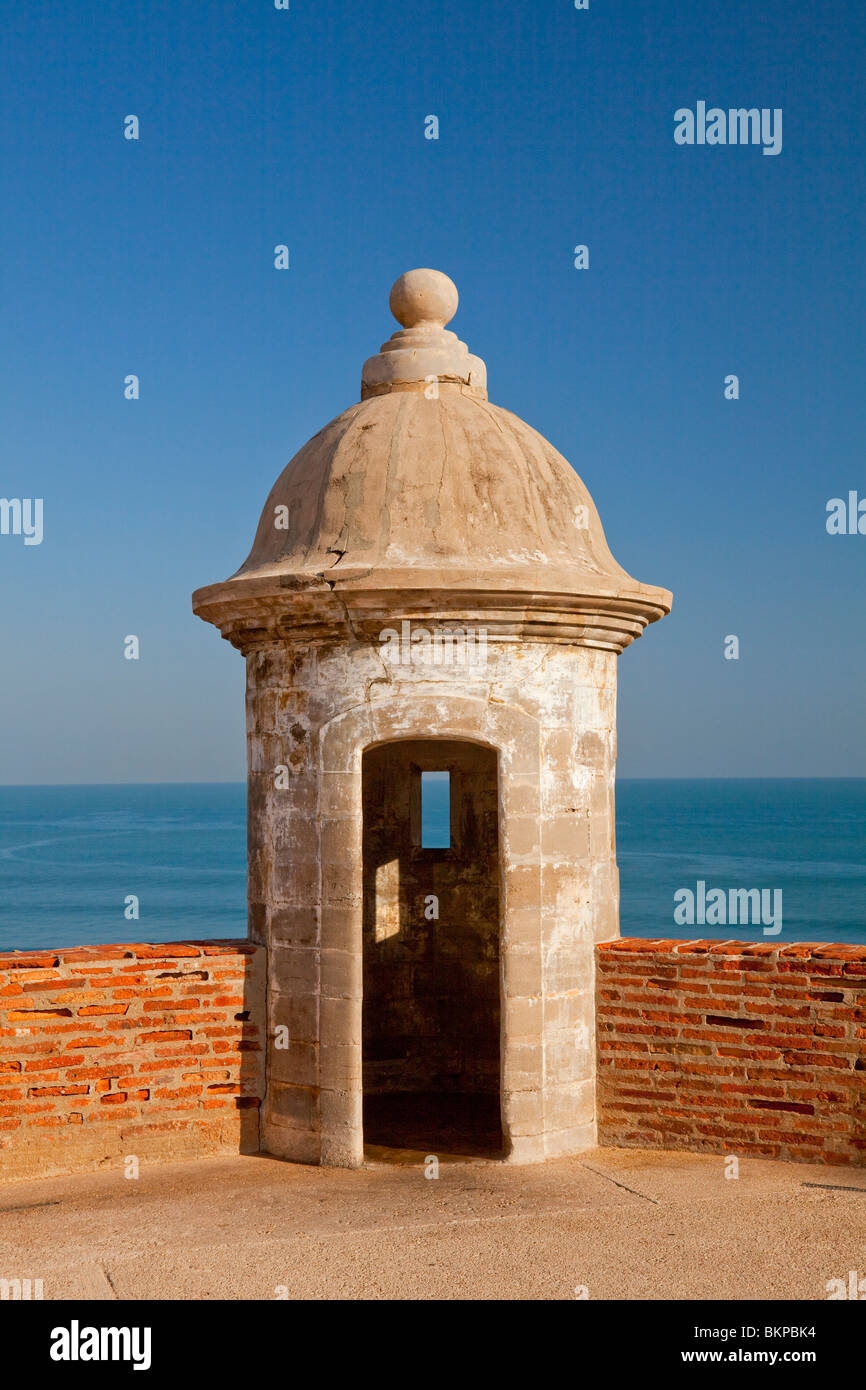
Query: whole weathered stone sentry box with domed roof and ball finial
{"x": 430, "y": 590}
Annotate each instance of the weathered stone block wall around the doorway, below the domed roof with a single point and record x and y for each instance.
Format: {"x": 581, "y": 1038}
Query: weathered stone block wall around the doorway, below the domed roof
{"x": 315, "y": 712}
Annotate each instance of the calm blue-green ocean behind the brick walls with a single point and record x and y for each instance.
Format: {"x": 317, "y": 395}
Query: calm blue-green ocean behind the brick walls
{"x": 72, "y": 858}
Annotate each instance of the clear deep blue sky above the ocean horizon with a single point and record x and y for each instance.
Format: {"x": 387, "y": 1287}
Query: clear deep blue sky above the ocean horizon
{"x": 307, "y": 127}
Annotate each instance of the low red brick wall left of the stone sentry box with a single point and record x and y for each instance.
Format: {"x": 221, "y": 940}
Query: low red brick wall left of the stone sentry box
{"x": 155, "y": 1052}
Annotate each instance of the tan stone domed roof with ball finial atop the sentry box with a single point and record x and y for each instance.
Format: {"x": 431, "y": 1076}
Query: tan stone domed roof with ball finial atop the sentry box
{"x": 427, "y": 489}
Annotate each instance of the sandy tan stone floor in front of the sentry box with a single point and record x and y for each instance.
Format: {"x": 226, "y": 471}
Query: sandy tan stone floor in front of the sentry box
{"x": 622, "y": 1224}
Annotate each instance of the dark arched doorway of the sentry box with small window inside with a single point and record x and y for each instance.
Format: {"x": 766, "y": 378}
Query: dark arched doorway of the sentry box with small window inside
{"x": 432, "y": 981}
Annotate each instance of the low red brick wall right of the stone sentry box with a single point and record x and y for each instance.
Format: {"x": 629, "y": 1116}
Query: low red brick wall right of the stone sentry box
{"x": 730, "y": 1047}
